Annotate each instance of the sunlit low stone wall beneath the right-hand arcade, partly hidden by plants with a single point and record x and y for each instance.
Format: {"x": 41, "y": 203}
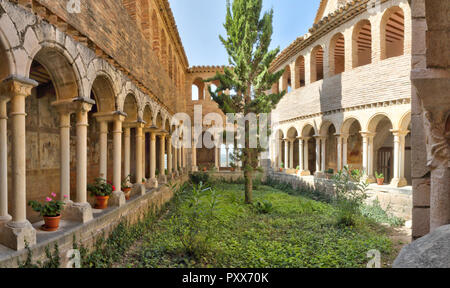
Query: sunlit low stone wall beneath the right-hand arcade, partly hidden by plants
{"x": 397, "y": 200}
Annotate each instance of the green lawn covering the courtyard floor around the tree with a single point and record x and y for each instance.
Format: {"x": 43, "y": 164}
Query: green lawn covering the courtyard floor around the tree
{"x": 296, "y": 232}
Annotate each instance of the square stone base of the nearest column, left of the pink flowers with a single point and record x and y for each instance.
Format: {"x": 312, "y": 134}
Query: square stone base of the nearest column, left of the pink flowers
{"x": 14, "y": 235}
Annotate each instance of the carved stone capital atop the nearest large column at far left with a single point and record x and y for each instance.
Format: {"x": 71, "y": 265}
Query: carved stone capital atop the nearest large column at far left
{"x": 16, "y": 86}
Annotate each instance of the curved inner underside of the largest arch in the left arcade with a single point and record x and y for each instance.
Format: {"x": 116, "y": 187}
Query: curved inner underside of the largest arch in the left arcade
{"x": 64, "y": 75}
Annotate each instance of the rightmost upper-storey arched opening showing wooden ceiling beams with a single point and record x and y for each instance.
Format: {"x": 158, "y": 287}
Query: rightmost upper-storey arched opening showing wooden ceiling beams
{"x": 392, "y": 33}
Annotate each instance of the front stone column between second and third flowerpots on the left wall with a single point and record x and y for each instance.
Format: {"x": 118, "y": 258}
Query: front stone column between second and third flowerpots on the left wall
{"x": 118, "y": 197}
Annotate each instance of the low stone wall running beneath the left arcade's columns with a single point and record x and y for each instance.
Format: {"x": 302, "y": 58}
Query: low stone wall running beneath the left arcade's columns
{"x": 101, "y": 226}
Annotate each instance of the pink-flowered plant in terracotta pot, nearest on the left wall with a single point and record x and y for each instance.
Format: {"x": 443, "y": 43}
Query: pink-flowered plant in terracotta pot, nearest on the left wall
{"x": 50, "y": 210}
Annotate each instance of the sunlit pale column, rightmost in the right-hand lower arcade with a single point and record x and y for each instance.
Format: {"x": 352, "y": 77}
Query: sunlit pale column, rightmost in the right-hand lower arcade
{"x": 399, "y": 179}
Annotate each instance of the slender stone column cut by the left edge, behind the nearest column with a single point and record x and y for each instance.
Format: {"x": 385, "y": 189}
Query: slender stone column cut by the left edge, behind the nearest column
{"x": 4, "y": 216}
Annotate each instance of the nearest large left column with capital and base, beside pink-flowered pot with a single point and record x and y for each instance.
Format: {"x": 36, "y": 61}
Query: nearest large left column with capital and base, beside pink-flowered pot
{"x": 16, "y": 232}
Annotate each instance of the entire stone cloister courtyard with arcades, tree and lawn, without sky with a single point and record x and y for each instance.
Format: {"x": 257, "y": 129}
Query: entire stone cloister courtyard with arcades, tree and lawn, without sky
{"x": 106, "y": 127}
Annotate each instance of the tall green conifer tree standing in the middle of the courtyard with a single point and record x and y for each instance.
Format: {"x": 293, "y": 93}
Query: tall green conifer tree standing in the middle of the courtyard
{"x": 248, "y": 79}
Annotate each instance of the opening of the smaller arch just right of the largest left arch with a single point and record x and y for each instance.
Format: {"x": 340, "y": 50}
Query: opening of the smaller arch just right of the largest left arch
{"x": 102, "y": 90}
